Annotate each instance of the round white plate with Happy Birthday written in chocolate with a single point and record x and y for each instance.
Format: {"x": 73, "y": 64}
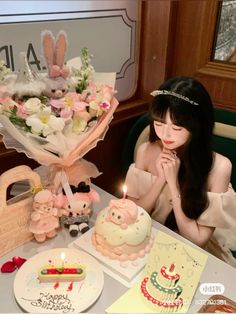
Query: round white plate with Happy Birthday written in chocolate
{"x": 36, "y": 297}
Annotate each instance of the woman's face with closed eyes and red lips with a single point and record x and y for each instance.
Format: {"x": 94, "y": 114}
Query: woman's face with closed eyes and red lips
{"x": 171, "y": 135}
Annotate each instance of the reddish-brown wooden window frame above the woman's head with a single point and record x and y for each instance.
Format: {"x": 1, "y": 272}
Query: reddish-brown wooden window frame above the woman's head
{"x": 194, "y": 29}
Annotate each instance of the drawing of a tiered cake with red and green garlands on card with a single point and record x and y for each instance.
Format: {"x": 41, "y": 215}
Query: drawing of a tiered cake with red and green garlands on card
{"x": 162, "y": 289}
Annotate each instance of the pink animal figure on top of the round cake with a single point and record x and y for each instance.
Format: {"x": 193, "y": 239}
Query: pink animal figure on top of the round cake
{"x": 122, "y": 212}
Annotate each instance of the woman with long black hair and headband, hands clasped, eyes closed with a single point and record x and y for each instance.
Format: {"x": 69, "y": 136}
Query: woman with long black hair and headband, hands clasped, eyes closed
{"x": 177, "y": 177}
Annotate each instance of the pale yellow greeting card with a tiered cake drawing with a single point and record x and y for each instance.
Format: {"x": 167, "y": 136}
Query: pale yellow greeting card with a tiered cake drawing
{"x": 169, "y": 280}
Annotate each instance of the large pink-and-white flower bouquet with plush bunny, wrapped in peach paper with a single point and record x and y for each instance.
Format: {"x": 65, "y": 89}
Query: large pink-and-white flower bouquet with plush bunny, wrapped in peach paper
{"x": 56, "y": 118}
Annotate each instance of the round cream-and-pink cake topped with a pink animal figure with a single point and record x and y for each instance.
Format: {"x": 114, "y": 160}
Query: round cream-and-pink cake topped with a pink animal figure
{"x": 123, "y": 231}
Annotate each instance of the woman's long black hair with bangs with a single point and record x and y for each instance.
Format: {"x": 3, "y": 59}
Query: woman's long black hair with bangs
{"x": 196, "y": 155}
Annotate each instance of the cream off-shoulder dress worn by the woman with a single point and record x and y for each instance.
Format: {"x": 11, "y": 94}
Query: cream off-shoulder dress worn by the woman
{"x": 221, "y": 212}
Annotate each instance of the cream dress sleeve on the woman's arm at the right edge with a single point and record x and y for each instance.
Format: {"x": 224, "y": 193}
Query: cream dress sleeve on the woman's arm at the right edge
{"x": 221, "y": 211}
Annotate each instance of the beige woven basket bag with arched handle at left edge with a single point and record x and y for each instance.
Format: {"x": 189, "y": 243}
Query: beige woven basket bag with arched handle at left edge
{"x": 15, "y": 213}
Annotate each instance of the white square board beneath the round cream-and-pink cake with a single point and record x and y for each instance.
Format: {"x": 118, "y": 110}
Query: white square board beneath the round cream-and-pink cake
{"x": 127, "y": 272}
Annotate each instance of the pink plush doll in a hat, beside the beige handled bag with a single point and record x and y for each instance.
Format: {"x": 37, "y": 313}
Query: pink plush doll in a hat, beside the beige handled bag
{"x": 44, "y": 218}
